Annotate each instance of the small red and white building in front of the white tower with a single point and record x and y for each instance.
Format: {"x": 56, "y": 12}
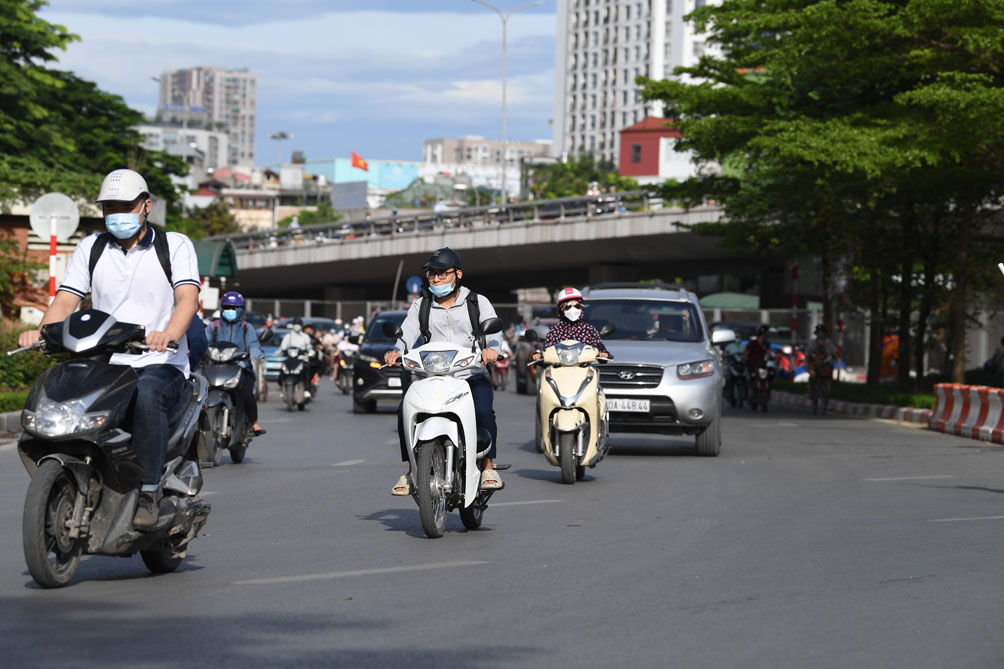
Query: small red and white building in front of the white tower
{"x": 648, "y": 154}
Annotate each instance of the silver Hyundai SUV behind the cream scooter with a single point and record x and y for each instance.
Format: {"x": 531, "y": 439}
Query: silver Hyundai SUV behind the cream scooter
{"x": 666, "y": 377}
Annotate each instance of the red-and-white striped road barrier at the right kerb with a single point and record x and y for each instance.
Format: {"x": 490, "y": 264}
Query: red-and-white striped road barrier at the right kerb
{"x": 976, "y": 412}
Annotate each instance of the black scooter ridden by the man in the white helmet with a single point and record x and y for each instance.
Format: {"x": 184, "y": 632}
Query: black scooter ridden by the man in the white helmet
{"x": 85, "y": 474}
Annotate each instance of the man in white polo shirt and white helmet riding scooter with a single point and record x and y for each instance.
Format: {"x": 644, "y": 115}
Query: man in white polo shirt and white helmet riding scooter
{"x": 131, "y": 283}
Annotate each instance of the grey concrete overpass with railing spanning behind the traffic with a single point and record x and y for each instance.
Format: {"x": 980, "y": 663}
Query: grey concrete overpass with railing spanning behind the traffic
{"x": 577, "y": 242}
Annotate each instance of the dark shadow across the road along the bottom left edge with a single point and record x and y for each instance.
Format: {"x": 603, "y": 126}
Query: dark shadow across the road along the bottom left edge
{"x": 94, "y": 634}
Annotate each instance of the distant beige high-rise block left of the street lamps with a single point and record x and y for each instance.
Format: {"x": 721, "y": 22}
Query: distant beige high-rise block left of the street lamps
{"x": 219, "y": 99}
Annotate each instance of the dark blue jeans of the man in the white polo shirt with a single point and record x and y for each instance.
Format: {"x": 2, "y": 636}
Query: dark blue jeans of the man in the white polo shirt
{"x": 158, "y": 404}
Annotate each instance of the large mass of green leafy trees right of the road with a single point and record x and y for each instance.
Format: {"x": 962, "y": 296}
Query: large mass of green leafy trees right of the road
{"x": 870, "y": 132}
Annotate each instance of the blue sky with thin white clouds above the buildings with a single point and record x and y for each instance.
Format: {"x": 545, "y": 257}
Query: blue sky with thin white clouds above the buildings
{"x": 375, "y": 77}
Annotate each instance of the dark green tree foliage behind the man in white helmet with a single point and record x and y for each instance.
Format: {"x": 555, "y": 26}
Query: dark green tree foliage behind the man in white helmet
{"x": 59, "y": 132}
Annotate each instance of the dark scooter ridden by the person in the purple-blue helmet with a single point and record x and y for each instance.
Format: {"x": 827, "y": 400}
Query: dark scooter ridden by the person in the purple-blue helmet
{"x": 223, "y": 425}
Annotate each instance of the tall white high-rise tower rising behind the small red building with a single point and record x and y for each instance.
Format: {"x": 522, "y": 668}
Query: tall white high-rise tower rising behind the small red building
{"x": 602, "y": 47}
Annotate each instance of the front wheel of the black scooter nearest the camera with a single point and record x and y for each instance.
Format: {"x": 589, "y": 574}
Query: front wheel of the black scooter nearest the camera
{"x": 52, "y": 555}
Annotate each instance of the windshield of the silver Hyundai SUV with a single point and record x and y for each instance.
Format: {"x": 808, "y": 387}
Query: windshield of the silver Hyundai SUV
{"x": 646, "y": 320}
